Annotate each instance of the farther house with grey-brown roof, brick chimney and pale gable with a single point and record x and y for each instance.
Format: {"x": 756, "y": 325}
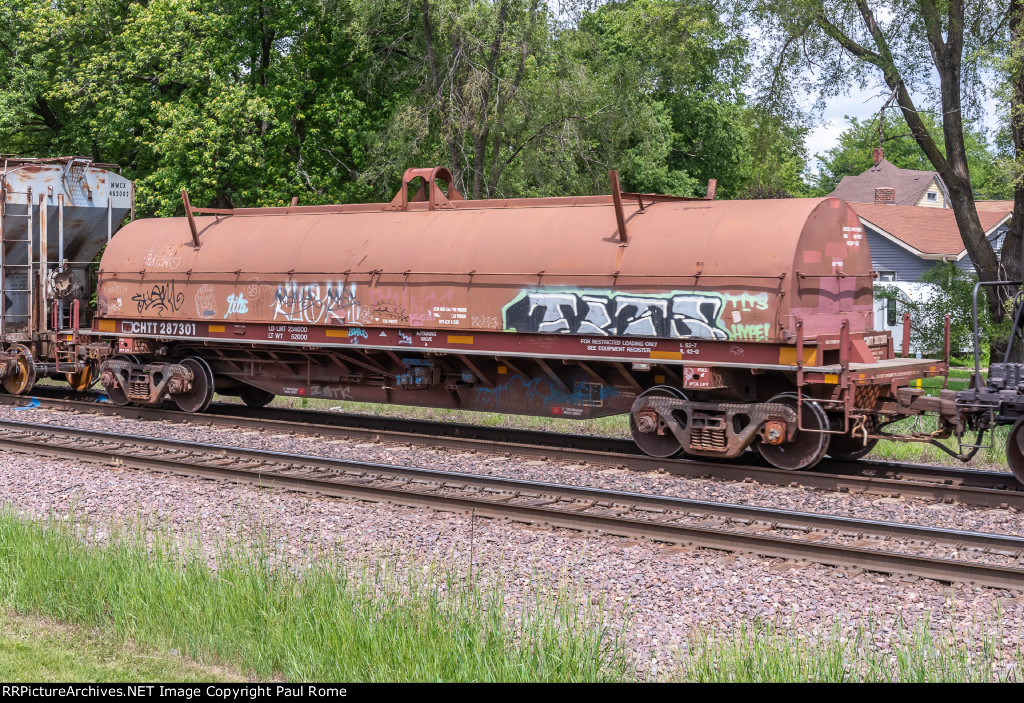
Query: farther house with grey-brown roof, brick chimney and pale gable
{"x": 887, "y": 185}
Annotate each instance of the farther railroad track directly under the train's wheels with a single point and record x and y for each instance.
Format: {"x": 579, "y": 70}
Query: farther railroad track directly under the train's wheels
{"x": 966, "y": 487}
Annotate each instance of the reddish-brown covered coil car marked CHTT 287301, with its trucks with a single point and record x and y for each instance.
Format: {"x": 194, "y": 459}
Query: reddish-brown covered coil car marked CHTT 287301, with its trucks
{"x": 716, "y": 326}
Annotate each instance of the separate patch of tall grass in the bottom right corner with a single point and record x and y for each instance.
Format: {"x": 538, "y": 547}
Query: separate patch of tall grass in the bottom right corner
{"x": 763, "y": 653}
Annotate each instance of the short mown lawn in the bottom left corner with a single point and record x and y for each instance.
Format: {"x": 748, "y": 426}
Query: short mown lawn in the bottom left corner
{"x": 40, "y": 650}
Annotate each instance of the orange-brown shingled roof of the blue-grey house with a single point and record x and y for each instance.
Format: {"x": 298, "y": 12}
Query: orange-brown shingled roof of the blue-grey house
{"x": 930, "y": 233}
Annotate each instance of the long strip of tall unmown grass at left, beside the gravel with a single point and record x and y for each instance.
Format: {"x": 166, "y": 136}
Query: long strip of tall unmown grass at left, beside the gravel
{"x": 270, "y": 619}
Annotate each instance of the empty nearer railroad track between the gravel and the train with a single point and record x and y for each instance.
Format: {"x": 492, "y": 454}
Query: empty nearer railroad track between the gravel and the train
{"x": 874, "y": 546}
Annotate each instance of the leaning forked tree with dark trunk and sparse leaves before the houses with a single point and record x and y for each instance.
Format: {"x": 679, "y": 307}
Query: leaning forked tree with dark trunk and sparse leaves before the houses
{"x": 901, "y": 42}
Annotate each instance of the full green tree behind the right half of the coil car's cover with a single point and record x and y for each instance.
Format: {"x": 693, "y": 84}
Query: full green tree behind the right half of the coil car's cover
{"x": 692, "y": 62}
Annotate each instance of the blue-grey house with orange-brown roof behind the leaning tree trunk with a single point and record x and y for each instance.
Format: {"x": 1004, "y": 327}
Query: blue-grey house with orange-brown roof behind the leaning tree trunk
{"x": 906, "y": 242}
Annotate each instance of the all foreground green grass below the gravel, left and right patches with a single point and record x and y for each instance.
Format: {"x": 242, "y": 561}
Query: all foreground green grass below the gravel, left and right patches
{"x": 258, "y": 616}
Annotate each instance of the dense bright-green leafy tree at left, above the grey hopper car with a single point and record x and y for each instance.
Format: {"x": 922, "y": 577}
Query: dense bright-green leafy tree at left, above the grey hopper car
{"x": 242, "y": 104}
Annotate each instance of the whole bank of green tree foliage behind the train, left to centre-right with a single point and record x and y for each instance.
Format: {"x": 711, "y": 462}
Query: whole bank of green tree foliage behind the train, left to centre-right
{"x": 248, "y": 104}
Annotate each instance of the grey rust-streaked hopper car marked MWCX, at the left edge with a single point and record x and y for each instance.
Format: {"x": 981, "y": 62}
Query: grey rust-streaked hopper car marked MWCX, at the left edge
{"x": 56, "y": 217}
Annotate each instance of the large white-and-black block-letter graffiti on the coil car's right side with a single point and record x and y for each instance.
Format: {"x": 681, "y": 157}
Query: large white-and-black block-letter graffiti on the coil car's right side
{"x": 681, "y": 316}
